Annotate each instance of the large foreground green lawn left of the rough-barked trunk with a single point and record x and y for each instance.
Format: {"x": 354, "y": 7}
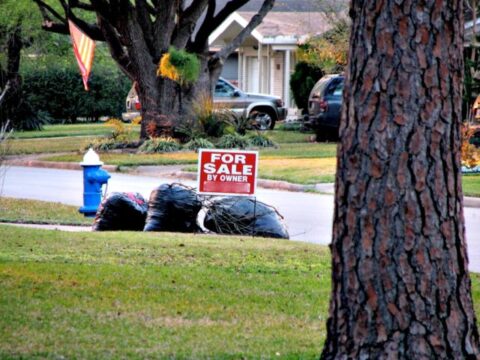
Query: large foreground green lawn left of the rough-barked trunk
{"x": 163, "y": 295}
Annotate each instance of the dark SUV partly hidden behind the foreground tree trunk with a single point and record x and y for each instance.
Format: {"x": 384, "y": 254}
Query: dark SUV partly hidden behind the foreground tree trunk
{"x": 324, "y": 106}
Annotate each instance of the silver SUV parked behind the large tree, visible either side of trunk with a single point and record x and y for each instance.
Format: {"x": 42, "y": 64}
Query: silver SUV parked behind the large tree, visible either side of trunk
{"x": 264, "y": 110}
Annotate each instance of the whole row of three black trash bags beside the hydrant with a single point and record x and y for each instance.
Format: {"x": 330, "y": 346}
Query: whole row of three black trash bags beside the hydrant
{"x": 176, "y": 208}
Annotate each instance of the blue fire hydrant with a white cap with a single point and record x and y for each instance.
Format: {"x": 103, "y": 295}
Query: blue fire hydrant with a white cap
{"x": 93, "y": 180}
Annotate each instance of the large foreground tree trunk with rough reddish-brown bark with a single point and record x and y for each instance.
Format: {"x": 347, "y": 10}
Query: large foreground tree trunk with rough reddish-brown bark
{"x": 401, "y": 287}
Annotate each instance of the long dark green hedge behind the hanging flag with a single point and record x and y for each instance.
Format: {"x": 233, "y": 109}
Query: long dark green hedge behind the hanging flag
{"x": 59, "y": 92}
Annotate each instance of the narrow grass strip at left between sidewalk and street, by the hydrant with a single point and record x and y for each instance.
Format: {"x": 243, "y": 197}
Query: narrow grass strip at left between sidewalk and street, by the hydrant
{"x": 40, "y": 212}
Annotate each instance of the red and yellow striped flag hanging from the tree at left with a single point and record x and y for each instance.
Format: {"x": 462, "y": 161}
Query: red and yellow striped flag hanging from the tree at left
{"x": 84, "y": 49}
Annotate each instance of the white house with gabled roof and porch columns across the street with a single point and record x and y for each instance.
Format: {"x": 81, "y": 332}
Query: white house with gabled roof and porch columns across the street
{"x": 265, "y": 61}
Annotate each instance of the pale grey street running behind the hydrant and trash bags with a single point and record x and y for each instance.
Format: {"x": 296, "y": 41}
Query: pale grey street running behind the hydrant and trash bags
{"x": 307, "y": 215}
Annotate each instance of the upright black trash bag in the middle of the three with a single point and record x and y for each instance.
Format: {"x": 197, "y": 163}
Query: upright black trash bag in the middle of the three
{"x": 173, "y": 207}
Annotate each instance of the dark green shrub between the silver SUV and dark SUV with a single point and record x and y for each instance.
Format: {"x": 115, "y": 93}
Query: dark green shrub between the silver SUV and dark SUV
{"x": 302, "y": 82}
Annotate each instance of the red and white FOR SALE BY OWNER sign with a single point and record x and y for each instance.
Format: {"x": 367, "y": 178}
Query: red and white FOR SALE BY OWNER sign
{"x": 231, "y": 172}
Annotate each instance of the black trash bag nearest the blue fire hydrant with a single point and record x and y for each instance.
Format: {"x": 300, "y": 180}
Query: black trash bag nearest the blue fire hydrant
{"x": 121, "y": 211}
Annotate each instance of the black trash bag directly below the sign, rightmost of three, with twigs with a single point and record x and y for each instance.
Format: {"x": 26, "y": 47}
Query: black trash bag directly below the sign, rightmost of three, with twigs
{"x": 240, "y": 216}
